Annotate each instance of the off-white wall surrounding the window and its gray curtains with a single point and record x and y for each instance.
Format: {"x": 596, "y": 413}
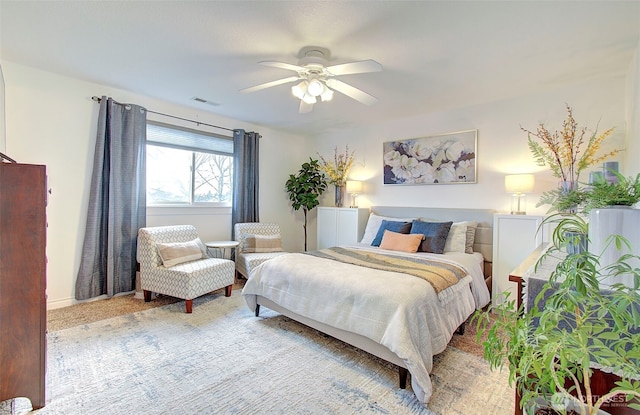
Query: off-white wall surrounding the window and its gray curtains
{"x": 51, "y": 120}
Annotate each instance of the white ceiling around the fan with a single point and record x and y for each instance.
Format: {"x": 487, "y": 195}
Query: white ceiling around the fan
{"x": 436, "y": 55}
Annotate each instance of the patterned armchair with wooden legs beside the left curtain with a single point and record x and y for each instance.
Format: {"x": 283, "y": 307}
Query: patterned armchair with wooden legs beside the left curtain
{"x": 173, "y": 261}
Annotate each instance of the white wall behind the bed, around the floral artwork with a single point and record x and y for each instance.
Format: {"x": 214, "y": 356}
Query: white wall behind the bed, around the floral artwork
{"x": 502, "y": 146}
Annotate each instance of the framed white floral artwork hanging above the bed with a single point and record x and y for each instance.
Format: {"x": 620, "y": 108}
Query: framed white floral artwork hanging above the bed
{"x": 440, "y": 159}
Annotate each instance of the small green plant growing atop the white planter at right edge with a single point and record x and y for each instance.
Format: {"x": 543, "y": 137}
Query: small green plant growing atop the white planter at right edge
{"x": 625, "y": 192}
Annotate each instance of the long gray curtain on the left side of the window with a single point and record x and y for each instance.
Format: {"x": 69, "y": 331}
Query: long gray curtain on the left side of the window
{"x": 117, "y": 202}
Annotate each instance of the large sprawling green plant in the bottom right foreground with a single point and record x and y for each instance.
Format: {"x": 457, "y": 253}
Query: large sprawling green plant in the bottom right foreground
{"x": 551, "y": 347}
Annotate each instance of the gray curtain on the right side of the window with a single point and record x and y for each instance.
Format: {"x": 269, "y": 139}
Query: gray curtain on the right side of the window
{"x": 245, "y": 178}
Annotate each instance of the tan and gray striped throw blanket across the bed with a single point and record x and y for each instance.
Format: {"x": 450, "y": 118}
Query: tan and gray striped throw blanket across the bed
{"x": 441, "y": 275}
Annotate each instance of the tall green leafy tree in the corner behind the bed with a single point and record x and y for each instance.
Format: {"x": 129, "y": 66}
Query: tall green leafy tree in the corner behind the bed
{"x": 305, "y": 188}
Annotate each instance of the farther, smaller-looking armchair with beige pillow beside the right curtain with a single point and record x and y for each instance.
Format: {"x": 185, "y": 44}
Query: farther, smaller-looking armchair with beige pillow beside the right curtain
{"x": 258, "y": 242}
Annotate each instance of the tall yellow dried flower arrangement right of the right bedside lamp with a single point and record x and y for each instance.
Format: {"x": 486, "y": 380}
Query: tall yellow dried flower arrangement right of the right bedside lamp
{"x": 567, "y": 153}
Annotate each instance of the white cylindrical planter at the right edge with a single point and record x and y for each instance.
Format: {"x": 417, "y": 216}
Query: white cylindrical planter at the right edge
{"x": 619, "y": 220}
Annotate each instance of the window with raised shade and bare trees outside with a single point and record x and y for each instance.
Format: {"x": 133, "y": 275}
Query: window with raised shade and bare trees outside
{"x": 188, "y": 167}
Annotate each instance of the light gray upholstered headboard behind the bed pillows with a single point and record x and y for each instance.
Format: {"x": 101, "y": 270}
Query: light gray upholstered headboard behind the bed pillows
{"x": 484, "y": 233}
